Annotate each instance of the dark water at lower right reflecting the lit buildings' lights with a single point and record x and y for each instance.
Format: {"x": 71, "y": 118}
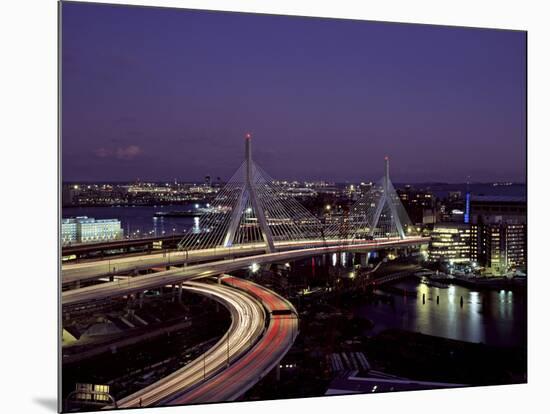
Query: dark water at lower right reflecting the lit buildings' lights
{"x": 491, "y": 317}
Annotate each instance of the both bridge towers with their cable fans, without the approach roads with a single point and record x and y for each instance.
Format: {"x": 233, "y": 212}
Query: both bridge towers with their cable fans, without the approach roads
{"x": 253, "y": 209}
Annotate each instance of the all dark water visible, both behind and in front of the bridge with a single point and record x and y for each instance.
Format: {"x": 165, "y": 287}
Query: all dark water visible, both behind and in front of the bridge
{"x": 491, "y": 317}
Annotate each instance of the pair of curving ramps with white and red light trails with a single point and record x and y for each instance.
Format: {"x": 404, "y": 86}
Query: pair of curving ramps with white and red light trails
{"x": 253, "y": 351}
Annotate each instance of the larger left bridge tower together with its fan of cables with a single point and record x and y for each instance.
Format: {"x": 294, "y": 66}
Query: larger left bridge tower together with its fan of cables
{"x": 251, "y": 209}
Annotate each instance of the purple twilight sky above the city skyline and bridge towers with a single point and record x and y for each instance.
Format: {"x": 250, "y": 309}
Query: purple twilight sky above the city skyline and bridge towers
{"x": 158, "y": 94}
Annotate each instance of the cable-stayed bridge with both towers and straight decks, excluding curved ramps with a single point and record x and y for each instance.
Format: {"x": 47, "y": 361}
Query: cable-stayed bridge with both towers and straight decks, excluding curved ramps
{"x": 254, "y": 217}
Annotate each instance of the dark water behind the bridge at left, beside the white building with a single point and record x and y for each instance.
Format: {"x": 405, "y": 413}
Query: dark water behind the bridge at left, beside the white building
{"x": 140, "y": 218}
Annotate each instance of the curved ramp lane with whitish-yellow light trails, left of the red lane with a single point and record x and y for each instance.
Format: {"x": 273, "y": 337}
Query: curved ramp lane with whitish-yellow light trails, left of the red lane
{"x": 247, "y": 325}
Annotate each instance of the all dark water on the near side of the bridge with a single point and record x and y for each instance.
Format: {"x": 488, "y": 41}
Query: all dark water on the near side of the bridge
{"x": 492, "y": 317}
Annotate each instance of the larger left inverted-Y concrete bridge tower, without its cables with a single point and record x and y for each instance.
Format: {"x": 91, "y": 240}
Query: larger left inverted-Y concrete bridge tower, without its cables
{"x": 248, "y": 195}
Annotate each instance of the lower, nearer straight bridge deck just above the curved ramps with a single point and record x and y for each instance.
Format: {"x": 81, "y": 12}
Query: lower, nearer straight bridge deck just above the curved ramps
{"x": 175, "y": 276}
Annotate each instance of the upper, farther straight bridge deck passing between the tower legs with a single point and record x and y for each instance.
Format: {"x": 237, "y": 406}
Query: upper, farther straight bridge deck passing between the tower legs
{"x": 78, "y": 272}
